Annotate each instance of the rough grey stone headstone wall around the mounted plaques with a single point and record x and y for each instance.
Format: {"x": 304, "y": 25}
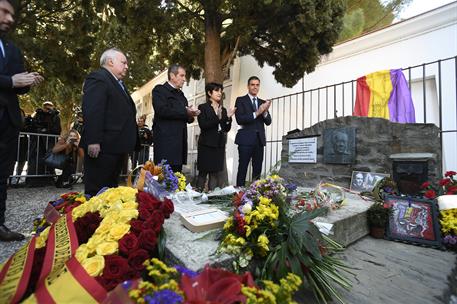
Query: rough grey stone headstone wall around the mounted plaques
{"x": 376, "y": 140}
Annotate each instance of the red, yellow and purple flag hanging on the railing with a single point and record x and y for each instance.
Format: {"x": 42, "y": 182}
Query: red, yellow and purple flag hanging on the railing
{"x": 385, "y": 94}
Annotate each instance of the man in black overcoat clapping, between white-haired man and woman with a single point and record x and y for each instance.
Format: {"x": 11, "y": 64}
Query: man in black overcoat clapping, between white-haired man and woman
{"x": 171, "y": 113}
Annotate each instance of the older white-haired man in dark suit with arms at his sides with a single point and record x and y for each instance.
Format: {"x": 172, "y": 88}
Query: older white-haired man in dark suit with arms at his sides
{"x": 110, "y": 130}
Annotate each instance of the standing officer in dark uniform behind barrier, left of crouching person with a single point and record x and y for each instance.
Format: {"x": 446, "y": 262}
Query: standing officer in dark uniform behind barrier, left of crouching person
{"x": 46, "y": 121}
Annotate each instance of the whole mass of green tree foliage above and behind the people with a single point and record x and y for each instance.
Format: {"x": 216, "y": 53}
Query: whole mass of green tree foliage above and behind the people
{"x": 64, "y": 39}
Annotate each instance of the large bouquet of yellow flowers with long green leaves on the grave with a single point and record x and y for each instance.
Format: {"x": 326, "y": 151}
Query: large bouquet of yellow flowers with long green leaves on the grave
{"x": 280, "y": 241}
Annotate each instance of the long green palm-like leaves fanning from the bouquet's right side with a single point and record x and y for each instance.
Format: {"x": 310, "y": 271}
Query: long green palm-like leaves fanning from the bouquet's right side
{"x": 300, "y": 254}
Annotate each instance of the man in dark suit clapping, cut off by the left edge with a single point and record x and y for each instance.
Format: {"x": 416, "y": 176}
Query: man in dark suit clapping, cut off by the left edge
{"x": 14, "y": 80}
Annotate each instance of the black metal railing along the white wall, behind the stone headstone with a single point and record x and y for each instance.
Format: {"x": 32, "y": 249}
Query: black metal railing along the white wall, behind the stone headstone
{"x": 434, "y": 90}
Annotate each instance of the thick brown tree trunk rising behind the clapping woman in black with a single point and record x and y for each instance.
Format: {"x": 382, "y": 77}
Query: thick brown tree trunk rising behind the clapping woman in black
{"x": 213, "y": 64}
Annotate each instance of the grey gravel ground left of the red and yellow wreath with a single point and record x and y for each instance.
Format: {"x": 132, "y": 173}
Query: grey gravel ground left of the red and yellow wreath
{"x": 22, "y": 207}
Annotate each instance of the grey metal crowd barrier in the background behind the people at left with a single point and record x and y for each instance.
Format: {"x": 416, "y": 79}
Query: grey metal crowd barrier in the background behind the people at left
{"x": 32, "y": 148}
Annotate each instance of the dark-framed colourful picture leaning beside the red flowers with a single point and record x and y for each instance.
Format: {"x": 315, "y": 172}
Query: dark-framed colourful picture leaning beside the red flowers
{"x": 413, "y": 220}
